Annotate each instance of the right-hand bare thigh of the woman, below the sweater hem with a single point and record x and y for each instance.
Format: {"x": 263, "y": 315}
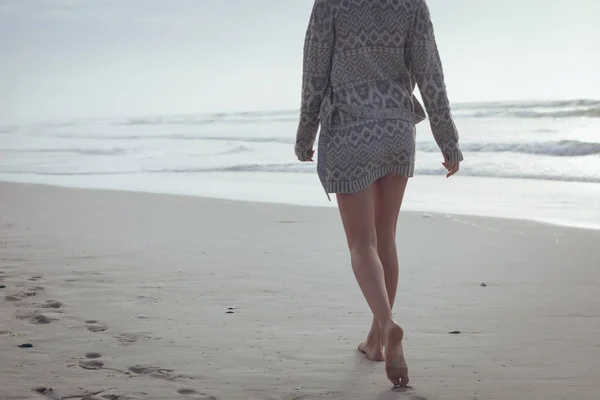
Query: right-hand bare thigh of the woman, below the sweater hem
{"x": 389, "y": 193}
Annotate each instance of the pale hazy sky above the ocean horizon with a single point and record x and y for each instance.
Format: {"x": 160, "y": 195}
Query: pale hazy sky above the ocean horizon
{"x": 104, "y": 58}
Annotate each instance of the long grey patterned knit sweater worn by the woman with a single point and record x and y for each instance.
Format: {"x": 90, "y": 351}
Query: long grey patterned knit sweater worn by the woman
{"x": 362, "y": 61}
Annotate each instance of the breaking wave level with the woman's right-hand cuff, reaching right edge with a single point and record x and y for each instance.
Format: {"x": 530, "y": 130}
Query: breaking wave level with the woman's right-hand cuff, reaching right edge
{"x": 563, "y": 148}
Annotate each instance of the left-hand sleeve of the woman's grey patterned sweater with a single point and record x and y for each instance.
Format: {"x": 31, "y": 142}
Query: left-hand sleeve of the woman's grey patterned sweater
{"x": 318, "y": 52}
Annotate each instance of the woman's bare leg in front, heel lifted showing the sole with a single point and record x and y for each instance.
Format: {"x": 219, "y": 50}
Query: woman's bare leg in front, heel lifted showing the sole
{"x": 359, "y": 218}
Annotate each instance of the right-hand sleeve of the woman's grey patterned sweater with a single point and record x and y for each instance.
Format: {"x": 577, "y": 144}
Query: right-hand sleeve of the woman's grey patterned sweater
{"x": 426, "y": 69}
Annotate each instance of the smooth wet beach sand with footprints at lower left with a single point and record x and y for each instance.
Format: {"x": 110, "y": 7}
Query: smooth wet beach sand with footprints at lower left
{"x": 142, "y": 296}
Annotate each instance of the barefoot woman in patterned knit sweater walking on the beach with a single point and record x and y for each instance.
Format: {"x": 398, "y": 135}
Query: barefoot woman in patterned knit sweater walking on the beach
{"x": 362, "y": 60}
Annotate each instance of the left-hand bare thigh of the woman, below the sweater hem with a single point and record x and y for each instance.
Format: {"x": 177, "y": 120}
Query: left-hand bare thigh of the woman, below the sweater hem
{"x": 358, "y": 217}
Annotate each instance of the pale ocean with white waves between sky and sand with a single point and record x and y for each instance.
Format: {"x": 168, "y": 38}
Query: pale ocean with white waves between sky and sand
{"x": 528, "y": 160}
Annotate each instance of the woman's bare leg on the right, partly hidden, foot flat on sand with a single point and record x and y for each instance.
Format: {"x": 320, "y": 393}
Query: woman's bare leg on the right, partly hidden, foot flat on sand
{"x": 389, "y": 193}
